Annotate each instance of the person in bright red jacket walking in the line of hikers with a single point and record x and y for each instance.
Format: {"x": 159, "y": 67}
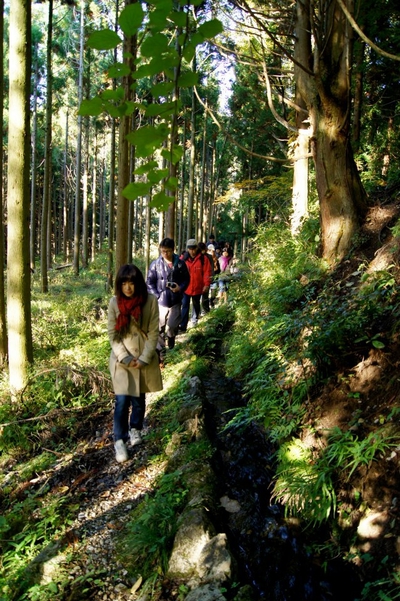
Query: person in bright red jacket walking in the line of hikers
{"x": 200, "y": 279}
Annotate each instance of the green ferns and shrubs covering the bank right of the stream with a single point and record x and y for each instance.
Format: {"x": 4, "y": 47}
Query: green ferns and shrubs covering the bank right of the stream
{"x": 296, "y": 322}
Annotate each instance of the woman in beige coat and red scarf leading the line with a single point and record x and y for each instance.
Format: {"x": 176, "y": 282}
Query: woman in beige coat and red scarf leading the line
{"x": 134, "y": 366}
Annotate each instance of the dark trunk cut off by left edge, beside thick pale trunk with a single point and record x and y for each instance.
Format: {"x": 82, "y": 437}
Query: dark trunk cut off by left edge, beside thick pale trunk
{"x": 3, "y": 325}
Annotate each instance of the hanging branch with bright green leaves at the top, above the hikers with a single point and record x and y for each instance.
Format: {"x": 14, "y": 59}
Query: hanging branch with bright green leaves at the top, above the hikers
{"x": 169, "y": 35}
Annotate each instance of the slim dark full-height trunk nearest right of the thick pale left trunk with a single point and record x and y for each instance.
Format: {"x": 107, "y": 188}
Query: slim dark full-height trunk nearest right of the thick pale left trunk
{"x": 44, "y": 262}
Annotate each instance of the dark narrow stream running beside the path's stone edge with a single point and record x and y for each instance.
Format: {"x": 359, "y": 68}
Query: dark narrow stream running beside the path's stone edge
{"x": 270, "y": 551}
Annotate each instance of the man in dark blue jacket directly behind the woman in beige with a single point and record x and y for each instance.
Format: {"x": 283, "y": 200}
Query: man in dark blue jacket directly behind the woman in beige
{"x": 167, "y": 278}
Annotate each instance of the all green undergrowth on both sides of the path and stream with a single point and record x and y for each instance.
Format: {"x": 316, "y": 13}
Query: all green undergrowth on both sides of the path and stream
{"x": 289, "y": 323}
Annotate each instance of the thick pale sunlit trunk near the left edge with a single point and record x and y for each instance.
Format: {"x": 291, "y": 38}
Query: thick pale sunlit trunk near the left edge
{"x": 18, "y": 262}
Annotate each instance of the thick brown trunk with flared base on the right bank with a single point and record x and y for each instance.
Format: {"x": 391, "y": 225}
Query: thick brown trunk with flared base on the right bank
{"x": 325, "y": 88}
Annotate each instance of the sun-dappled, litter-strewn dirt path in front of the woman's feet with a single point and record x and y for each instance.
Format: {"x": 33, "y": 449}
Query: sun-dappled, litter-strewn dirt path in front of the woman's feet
{"x": 105, "y": 492}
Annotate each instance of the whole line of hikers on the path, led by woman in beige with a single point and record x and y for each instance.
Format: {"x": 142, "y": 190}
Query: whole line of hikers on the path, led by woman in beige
{"x": 146, "y": 315}
